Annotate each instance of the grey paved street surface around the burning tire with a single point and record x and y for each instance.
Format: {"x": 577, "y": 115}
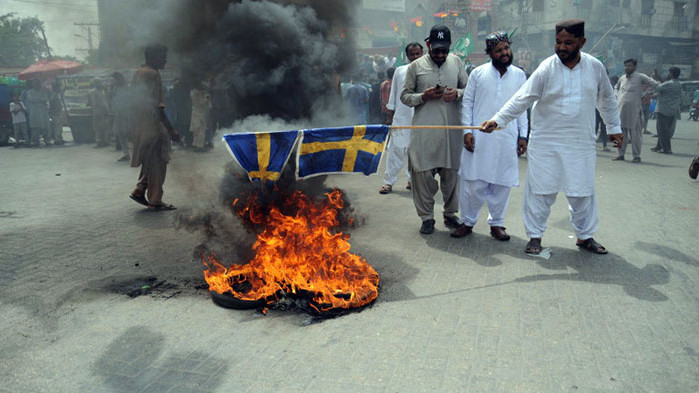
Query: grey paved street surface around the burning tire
{"x": 99, "y": 295}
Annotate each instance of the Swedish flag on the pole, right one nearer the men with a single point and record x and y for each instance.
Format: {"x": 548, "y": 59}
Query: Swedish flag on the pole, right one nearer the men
{"x": 341, "y": 150}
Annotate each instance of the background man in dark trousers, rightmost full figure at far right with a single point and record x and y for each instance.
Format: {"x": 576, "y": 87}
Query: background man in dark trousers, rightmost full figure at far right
{"x": 668, "y": 110}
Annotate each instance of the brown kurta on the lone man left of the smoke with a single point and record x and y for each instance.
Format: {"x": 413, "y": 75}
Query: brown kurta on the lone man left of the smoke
{"x": 149, "y": 135}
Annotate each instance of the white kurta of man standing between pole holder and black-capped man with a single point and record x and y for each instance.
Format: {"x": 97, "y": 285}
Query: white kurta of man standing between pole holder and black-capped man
{"x": 494, "y": 159}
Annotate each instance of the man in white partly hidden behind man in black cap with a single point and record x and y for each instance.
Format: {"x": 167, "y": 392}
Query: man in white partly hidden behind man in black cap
{"x": 402, "y": 115}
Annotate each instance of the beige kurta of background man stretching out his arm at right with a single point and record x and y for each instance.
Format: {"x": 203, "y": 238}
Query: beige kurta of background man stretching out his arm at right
{"x": 629, "y": 90}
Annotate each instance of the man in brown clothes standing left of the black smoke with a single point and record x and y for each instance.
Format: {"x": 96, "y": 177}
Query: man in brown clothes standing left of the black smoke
{"x": 151, "y": 130}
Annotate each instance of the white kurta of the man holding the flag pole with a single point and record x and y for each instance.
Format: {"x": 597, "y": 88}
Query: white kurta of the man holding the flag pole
{"x": 561, "y": 153}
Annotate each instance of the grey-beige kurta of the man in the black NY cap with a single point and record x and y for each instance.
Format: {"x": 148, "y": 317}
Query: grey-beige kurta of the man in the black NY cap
{"x": 431, "y": 149}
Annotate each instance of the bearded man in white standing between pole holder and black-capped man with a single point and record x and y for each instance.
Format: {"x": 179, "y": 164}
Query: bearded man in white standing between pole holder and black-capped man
{"x": 489, "y": 161}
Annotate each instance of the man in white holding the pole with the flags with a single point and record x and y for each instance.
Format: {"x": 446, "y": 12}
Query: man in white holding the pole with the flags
{"x": 566, "y": 88}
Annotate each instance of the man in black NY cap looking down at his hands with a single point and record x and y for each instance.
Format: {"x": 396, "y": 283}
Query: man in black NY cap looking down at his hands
{"x": 434, "y": 85}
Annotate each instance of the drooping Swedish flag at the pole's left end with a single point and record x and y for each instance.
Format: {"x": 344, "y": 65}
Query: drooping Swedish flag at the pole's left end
{"x": 262, "y": 155}
